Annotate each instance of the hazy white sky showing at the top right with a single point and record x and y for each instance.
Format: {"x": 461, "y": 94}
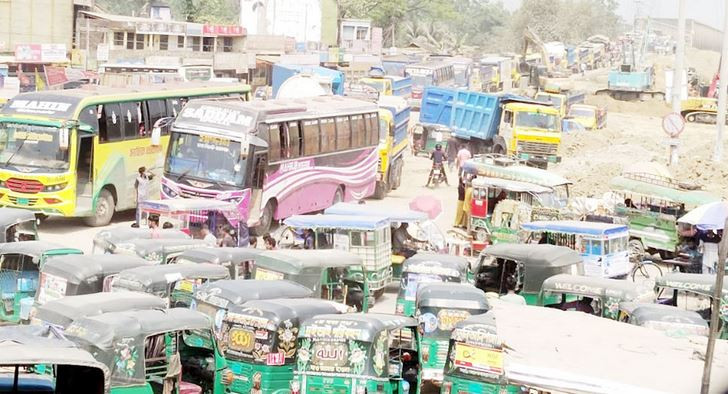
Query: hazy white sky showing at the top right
{"x": 709, "y": 12}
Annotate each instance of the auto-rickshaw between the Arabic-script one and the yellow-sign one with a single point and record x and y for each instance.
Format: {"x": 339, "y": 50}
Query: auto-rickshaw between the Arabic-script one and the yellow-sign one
{"x": 441, "y": 306}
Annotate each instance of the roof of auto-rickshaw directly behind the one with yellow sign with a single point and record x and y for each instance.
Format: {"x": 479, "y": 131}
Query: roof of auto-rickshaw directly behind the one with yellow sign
{"x": 451, "y": 295}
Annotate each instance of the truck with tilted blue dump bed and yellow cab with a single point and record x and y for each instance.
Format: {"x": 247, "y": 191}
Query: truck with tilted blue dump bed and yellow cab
{"x": 498, "y": 123}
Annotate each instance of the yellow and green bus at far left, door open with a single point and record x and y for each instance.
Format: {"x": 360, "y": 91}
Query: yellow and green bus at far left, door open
{"x": 76, "y": 153}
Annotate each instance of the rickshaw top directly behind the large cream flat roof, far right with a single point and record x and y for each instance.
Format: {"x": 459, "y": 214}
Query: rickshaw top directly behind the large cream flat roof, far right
{"x": 671, "y": 320}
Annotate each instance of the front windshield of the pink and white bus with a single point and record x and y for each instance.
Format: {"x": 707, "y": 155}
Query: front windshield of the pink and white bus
{"x": 213, "y": 158}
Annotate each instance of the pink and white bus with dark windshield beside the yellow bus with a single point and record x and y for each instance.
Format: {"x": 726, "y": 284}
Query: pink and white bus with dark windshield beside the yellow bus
{"x": 274, "y": 158}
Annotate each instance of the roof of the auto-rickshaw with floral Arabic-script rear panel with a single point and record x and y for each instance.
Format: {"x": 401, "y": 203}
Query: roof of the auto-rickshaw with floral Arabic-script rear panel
{"x": 357, "y": 326}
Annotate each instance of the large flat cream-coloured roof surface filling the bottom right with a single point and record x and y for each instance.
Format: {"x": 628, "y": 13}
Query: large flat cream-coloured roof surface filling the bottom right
{"x": 578, "y": 352}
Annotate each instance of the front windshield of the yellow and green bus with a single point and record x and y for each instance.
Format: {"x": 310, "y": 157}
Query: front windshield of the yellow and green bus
{"x": 32, "y": 146}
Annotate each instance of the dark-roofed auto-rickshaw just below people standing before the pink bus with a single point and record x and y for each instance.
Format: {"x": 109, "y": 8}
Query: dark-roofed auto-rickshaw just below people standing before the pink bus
{"x": 239, "y": 261}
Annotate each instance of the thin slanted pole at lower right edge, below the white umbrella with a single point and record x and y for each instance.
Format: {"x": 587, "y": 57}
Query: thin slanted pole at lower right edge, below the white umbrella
{"x": 715, "y": 307}
